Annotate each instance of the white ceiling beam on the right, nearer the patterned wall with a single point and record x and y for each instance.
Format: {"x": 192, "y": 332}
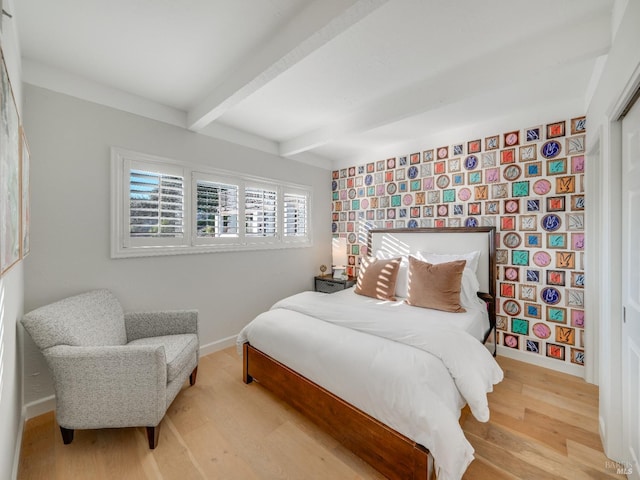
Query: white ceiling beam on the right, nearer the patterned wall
{"x": 548, "y": 50}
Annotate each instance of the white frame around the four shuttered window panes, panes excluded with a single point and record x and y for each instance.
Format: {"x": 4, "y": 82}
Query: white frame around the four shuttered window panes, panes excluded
{"x": 125, "y": 246}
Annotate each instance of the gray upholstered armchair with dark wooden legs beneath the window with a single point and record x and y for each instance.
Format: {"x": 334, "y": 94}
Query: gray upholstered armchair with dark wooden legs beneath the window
{"x": 113, "y": 369}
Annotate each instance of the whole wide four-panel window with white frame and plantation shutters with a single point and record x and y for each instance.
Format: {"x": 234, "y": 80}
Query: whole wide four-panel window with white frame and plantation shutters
{"x": 164, "y": 207}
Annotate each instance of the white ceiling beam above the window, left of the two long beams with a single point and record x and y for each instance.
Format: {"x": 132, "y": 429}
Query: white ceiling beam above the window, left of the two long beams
{"x": 316, "y": 25}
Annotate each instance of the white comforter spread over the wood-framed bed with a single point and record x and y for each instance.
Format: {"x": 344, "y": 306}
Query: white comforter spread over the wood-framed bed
{"x": 417, "y": 383}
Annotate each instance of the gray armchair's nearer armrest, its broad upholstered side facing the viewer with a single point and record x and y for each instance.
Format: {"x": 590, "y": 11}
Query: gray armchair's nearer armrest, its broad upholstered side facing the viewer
{"x": 108, "y": 386}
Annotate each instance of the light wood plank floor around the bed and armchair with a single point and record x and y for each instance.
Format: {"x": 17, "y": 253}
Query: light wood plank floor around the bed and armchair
{"x": 543, "y": 426}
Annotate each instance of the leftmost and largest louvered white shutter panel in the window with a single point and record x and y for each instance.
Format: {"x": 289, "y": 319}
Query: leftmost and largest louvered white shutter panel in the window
{"x": 156, "y": 205}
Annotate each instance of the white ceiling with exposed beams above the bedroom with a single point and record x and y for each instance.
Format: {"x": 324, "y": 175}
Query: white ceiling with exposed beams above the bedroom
{"x": 321, "y": 81}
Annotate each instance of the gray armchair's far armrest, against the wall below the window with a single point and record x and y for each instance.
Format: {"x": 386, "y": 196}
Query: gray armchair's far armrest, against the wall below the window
{"x": 156, "y": 324}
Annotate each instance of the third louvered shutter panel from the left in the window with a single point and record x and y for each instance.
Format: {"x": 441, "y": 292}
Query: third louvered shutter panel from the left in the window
{"x": 260, "y": 210}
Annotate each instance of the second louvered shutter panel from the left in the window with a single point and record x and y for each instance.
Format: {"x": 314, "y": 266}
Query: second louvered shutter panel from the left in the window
{"x": 216, "y": 209}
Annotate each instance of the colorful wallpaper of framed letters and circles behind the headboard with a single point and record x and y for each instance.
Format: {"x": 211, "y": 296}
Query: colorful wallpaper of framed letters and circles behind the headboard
{"x": 529, "y": 184}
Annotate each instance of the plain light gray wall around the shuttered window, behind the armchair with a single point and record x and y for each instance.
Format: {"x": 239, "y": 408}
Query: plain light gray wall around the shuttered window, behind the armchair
{"x": 70, "y": 143}
